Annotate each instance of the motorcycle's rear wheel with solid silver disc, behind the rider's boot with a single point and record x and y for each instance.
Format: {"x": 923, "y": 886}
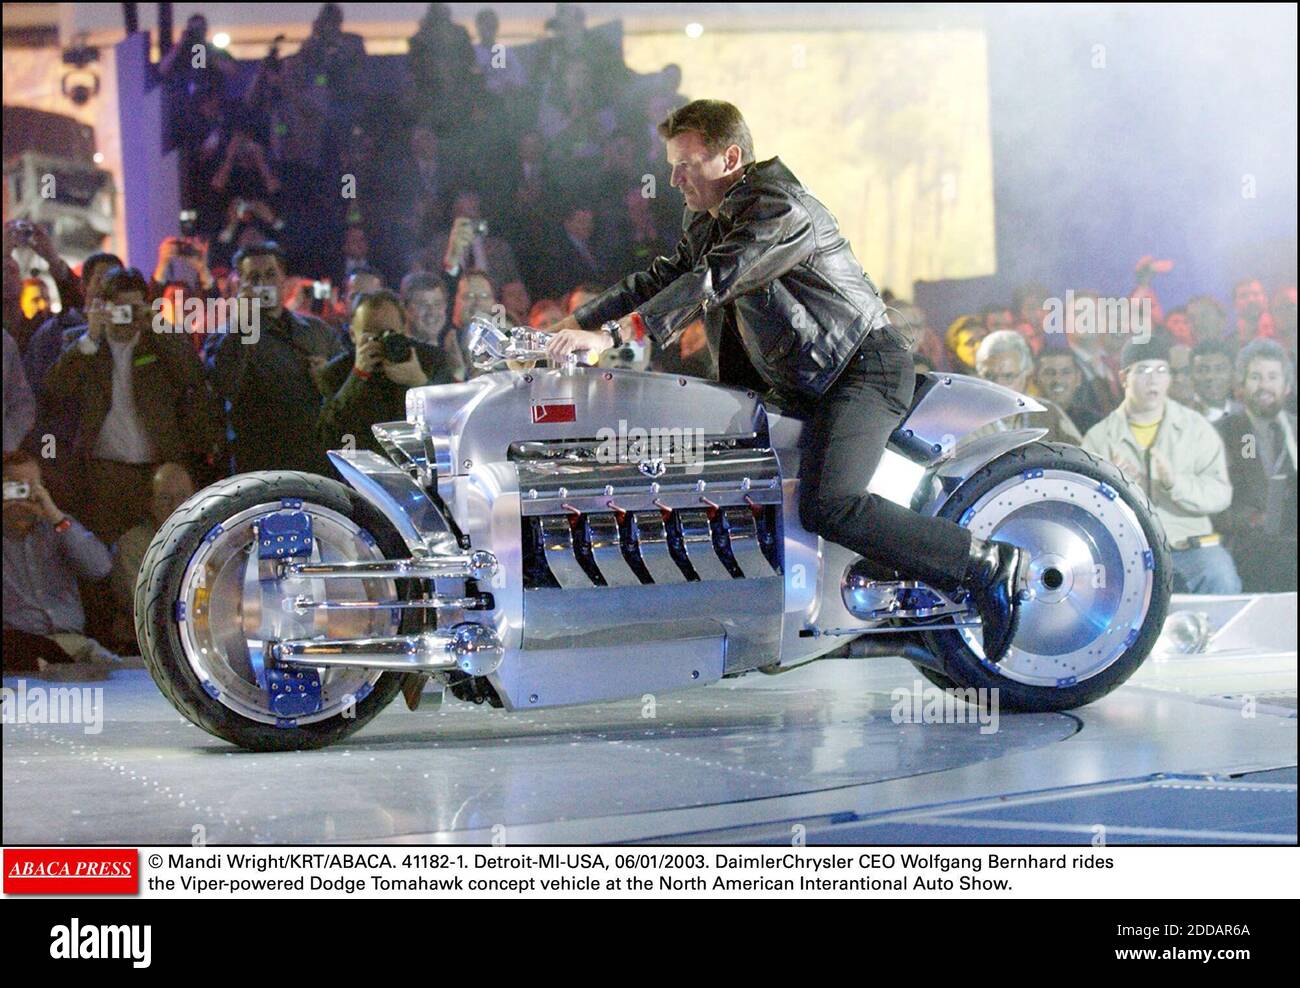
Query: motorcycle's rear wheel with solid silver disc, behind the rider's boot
{"x": 1100, "y": 571}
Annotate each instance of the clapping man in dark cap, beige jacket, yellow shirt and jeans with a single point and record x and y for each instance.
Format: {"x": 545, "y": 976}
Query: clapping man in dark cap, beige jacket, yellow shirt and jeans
{"x": 1177, "y": 457}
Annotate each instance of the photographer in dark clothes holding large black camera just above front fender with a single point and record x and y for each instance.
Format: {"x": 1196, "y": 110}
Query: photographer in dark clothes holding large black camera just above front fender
{"x": 369, "y": 384}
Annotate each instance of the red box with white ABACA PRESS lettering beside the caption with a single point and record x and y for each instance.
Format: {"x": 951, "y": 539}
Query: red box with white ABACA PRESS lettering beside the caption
{"x": 59, "y": 872}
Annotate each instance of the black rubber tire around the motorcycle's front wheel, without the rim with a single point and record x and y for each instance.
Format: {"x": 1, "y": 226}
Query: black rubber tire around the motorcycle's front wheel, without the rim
{"x": 159, "y": 588}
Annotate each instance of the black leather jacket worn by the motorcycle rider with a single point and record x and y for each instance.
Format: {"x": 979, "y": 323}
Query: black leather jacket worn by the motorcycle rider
{"x": 775, "y": 262}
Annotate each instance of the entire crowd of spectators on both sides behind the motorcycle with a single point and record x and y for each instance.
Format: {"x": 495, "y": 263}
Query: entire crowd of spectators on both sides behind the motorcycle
{"x": 515, "y": 188}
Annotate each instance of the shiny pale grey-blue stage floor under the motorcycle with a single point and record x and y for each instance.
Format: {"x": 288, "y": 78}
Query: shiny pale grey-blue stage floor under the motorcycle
{"x": 1193, "y": 751}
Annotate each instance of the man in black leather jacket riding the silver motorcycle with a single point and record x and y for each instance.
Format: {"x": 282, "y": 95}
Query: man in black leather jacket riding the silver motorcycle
{"x": 765, "y": 263}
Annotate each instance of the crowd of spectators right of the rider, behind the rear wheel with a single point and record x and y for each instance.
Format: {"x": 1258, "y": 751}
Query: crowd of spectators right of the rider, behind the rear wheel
{"x": 1198, "y": 408}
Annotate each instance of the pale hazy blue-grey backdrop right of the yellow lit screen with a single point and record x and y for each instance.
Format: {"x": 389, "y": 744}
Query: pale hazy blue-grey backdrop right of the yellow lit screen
{"x": 1095, "y": 167}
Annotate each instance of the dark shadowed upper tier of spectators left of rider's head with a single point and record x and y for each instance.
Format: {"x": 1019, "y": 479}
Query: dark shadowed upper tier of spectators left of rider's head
{"x": 528, "y": 163}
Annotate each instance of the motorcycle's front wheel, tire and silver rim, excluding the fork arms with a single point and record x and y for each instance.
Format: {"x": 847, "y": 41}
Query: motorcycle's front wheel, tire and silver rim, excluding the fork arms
{"x": 192, "y": 613}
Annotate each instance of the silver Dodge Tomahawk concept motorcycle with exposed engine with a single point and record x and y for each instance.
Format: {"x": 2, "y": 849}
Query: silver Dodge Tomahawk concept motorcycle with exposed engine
{"x": 541, "y": 536}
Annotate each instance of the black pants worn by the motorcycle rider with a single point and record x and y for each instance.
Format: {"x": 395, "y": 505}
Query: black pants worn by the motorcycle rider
{"x": 844, "y": 443}
